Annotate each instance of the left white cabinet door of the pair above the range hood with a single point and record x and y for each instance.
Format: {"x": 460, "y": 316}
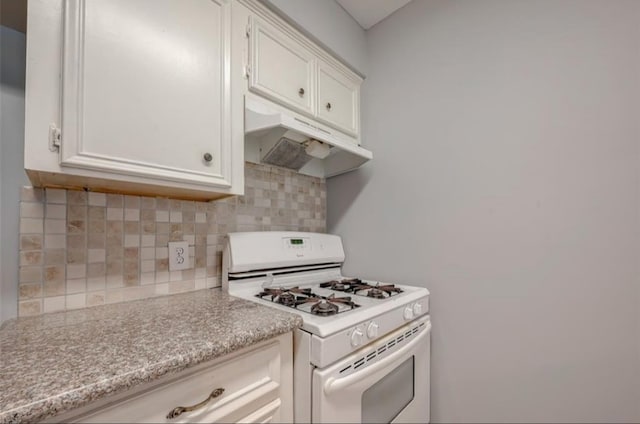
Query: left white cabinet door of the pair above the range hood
{"x": 280, "y": 68}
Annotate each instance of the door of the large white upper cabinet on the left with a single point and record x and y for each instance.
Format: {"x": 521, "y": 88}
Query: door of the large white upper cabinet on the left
{"x": 146, "y": 89}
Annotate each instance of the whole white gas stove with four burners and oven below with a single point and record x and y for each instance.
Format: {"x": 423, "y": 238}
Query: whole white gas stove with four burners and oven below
{"x": 356, "y": 333}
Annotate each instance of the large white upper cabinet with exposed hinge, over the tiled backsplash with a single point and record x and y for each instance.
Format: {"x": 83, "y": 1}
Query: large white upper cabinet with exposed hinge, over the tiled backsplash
{"x": 145, "y": 98}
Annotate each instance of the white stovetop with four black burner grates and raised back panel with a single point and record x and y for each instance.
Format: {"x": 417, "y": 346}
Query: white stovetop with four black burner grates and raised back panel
{"x": 301, "y": 272}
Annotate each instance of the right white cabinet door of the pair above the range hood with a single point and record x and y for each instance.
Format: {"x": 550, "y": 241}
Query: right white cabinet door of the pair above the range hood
{"x": 338, "y": 99}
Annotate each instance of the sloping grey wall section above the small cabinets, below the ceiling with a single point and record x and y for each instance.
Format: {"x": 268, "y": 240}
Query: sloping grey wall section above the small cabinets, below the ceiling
{"x": 330, "y": 24}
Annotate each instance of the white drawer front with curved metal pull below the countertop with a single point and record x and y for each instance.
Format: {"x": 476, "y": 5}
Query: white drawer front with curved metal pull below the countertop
{"x": 251, "y": 383}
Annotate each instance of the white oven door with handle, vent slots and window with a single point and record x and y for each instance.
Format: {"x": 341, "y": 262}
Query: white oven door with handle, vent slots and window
{"x": 385, "y": 381}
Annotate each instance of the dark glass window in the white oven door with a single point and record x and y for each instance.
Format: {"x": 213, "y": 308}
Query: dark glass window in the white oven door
{"x": 382, "y": 402}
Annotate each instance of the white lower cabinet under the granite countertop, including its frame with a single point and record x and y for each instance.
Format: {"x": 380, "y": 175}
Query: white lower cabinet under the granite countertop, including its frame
{"x": 253, "y": 385}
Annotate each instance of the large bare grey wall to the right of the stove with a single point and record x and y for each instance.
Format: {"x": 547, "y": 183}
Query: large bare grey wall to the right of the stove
{"x": 505, "y": 179}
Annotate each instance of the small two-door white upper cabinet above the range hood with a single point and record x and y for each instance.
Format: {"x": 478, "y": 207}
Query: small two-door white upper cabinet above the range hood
{"x": 287, "y": 68}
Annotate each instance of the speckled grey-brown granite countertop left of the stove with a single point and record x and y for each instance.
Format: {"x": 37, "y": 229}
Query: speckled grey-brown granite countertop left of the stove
{"x": 56, "y": 362}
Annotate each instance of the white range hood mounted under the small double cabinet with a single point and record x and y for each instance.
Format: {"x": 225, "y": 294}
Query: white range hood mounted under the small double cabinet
{"x": 275, "y": 137}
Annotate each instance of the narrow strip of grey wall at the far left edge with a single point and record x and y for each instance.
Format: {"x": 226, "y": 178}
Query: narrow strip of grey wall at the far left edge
{"x": 12, "y": 176}
